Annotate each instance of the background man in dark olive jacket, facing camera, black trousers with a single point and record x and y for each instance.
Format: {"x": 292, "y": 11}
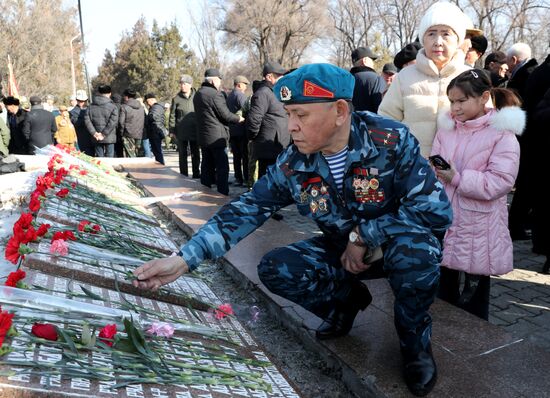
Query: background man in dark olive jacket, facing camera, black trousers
{"x": 183, "y": 124}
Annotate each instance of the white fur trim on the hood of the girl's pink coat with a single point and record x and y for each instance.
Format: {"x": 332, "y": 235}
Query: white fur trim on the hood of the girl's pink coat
{"x": 510, "y": 118}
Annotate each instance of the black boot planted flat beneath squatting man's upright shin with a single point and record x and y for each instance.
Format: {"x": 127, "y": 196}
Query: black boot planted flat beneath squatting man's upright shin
{"x": 420, "y": 372}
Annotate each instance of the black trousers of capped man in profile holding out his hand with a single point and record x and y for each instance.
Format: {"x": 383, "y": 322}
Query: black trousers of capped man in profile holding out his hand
{"x": 215, "y": 168}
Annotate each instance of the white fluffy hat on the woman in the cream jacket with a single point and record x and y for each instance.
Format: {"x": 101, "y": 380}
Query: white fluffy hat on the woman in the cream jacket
{"x": 444, "y": 13}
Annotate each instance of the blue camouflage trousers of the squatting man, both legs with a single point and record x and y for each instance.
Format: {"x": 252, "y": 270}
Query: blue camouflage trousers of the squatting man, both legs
{"x": 310, "y": 274}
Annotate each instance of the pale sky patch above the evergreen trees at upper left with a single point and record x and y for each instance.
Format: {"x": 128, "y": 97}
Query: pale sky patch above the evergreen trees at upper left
{"x": 105, "y": 20}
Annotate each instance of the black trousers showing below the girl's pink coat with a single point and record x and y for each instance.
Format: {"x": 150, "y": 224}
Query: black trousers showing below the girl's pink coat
{"x": 472, "y": 296}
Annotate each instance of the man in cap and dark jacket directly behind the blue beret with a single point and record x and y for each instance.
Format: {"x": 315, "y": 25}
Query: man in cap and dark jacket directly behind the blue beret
{"x": 266, "y": 121}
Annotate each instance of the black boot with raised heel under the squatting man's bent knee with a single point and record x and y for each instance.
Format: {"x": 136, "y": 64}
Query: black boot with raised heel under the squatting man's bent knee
{"x": 340, "y": 320}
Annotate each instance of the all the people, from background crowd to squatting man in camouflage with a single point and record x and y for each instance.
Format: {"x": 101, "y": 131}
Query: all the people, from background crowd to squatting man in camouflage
{"x": 414, "y": 163}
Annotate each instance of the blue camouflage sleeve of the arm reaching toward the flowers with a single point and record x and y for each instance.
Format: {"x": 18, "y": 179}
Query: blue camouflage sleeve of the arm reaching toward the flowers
{"x": 238, "y": 218}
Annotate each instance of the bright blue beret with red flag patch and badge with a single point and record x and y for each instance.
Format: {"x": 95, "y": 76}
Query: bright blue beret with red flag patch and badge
{"x": 315, "y": 83}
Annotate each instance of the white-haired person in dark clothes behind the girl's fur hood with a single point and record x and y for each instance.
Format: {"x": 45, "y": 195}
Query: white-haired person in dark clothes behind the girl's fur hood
{"x": 520, "y": 67}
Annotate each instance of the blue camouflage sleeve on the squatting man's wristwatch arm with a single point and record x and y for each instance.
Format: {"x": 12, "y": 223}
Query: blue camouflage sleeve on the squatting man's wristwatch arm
{"x": 423, "y": 207}
